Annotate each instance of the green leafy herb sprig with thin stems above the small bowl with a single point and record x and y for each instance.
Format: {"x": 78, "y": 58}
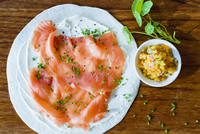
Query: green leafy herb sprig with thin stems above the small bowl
{"x": 153, "y": 28}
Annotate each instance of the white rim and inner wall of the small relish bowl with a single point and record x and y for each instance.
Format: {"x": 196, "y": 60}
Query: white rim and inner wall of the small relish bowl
{"x": 163, "y": 83}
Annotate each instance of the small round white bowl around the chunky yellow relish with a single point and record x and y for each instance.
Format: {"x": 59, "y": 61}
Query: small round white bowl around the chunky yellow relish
{"x": 150, "y": 82}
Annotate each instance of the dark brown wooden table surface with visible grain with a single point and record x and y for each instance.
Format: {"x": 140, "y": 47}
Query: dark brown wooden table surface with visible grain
{"x": 183, "y": 16}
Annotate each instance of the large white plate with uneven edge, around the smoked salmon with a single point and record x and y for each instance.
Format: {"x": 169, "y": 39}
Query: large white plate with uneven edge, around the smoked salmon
{"x": 18, "y": 86}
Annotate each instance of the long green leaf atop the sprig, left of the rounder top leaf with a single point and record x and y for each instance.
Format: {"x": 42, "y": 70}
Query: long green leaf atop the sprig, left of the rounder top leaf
{"x": 136, "y": 9}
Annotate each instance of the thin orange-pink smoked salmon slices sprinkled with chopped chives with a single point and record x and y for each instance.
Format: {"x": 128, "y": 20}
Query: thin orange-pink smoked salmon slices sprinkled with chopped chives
{"x": 76, "y": 76}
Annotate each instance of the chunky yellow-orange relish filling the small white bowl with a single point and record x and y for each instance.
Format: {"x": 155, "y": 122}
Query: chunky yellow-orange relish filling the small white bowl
{"x": 157, "y": 62}
